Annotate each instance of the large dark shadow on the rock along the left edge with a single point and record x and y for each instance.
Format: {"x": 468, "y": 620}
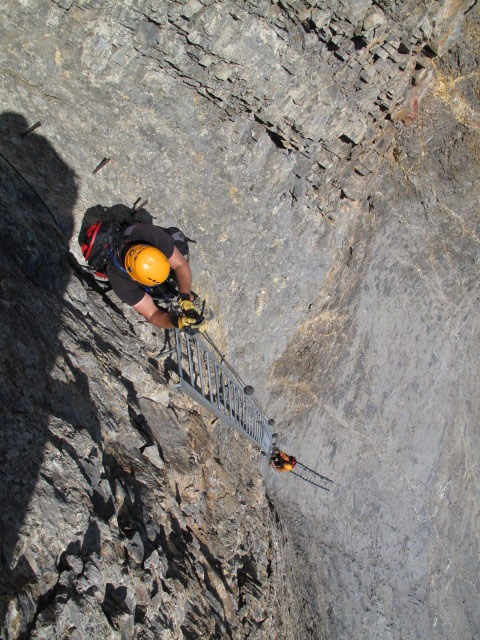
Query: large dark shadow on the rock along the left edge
{"x": 37, "y": 194}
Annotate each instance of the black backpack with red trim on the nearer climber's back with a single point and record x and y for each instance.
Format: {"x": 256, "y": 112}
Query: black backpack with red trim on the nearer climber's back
{"x": 101, "y": 243}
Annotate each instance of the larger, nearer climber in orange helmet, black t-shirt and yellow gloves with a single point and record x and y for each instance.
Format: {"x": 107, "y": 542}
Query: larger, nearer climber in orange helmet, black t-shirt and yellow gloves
{"x": 138, "y": 257}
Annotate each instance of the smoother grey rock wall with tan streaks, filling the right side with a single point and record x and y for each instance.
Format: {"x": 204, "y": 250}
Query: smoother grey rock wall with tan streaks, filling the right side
{"x": 383, "y": 394}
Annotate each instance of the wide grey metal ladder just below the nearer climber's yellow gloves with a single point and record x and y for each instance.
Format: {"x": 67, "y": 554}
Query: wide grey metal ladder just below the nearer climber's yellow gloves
{"x": 213, "y": 386}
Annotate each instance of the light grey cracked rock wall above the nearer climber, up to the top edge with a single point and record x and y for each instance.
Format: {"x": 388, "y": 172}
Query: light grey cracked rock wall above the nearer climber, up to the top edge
{"x": 262, "y": 120}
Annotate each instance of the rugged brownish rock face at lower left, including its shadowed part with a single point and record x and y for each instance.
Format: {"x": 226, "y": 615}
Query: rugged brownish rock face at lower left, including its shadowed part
{"x": 123, "y": 517}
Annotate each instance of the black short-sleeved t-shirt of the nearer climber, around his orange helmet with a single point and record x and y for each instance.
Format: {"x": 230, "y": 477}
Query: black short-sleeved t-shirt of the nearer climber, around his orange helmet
{"x": 127, "y": 289}
